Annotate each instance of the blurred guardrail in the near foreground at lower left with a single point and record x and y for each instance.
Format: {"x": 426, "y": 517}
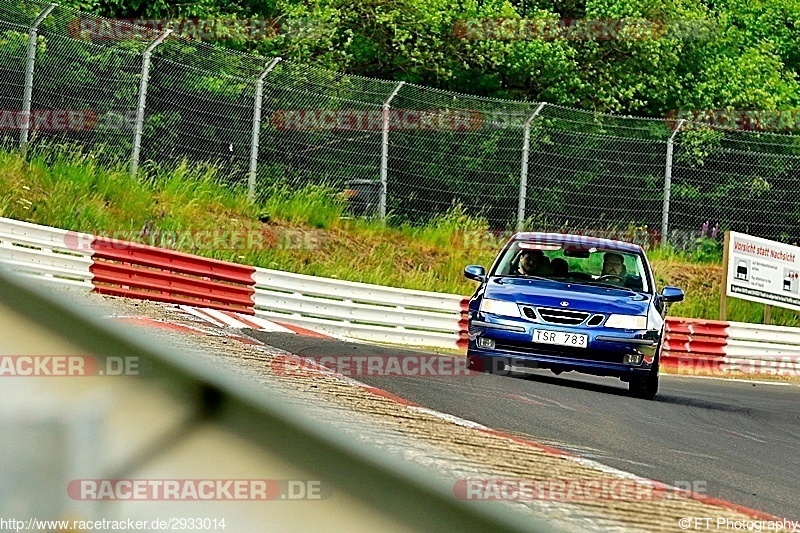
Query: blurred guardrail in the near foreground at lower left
{"x": 185, "y": 420}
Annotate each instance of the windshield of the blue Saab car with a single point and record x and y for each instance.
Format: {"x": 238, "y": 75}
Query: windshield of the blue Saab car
{"x": 565, "y": 262}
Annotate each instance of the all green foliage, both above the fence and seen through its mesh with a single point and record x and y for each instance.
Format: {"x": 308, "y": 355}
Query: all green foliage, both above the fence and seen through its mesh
{"x": 728, "y": 55}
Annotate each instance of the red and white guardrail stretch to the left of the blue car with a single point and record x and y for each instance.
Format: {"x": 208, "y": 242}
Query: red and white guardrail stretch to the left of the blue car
{"x": 335, "y": 307}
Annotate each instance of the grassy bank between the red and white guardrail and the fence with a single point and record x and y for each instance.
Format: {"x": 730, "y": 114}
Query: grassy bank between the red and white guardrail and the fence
{"x": 188, "y": 209}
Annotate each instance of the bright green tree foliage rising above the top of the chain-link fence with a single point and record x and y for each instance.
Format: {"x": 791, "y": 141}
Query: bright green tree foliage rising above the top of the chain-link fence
{"x": 682, "y": 54}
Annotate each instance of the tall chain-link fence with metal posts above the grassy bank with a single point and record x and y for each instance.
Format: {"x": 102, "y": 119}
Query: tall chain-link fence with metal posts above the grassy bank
{"x": 135, "y": 95}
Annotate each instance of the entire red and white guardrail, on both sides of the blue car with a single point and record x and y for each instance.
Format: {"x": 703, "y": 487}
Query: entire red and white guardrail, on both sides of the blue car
{"x": 335, "y": 307}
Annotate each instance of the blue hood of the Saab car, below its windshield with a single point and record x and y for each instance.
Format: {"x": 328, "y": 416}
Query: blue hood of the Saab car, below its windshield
{"x": 549, "y": 293}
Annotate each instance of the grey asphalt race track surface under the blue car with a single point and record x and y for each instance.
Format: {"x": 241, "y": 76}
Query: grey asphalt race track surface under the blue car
{"x": 733, "y": 440}
